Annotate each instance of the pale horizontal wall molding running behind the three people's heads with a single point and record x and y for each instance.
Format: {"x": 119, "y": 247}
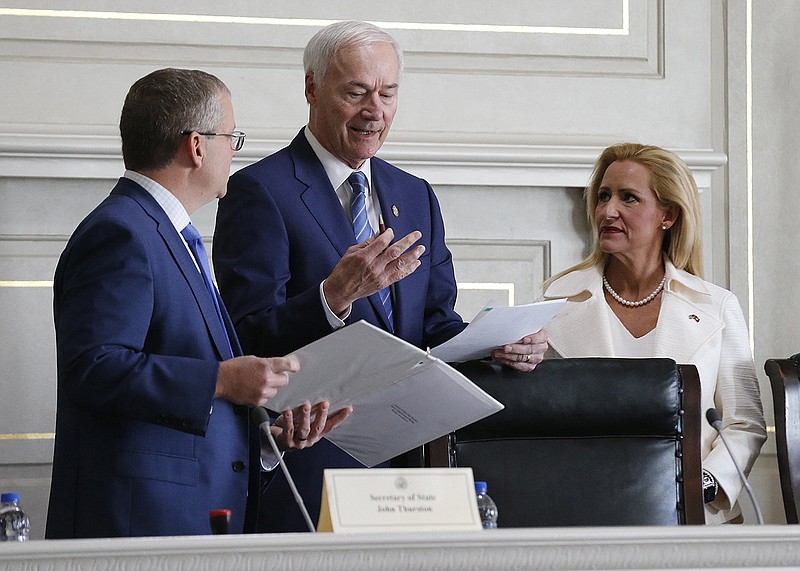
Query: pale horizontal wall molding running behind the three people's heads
{"x": 74, "y": 152}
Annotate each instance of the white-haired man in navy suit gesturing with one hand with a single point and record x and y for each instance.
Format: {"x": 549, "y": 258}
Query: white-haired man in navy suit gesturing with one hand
{"x": 289, "y": 247}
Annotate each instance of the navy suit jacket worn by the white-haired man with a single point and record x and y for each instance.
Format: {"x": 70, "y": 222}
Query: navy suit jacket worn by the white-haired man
{"x": 280, "y": 231}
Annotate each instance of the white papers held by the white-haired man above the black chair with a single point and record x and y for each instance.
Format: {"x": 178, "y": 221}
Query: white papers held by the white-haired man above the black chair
{"x": 497, "y": 326}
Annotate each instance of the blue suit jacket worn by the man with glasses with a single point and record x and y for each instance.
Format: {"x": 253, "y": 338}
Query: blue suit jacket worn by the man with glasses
{"x": 139, "y": 449}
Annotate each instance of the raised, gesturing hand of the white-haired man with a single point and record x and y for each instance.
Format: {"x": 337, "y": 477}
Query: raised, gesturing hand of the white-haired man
{"x": 369, "y": 267}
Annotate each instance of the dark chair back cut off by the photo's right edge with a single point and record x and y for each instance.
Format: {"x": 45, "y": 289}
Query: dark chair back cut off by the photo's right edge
{"x": 783, "y": 379}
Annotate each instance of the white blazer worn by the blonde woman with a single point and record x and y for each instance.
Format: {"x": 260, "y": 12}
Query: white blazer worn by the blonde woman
{"x": 699, "y": 323}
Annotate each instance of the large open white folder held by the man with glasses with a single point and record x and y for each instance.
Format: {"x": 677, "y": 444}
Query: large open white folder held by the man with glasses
{"x": 402, "y": 397}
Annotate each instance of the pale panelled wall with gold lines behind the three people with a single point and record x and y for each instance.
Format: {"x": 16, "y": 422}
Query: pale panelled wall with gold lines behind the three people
{"x": 505, "y": 108}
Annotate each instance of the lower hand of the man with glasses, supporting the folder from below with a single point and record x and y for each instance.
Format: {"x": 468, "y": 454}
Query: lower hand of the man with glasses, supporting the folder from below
{"x": 306, "y": 425}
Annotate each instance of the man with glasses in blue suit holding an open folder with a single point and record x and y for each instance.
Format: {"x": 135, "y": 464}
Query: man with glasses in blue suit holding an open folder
{"x": 152, "y": 428}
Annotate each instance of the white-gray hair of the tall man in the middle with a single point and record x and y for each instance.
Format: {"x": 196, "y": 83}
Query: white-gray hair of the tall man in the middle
{"x": 323, "y": 46}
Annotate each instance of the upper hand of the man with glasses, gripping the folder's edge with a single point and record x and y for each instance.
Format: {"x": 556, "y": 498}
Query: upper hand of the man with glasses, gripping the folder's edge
{"x": 252, "y": 380}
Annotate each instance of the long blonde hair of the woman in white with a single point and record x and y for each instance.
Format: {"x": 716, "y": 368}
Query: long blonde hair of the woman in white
{"x": 673, "y": 184}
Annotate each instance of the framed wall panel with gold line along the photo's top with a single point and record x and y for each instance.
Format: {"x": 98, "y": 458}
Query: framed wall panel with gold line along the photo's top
{"x": 617, "y": 38}
